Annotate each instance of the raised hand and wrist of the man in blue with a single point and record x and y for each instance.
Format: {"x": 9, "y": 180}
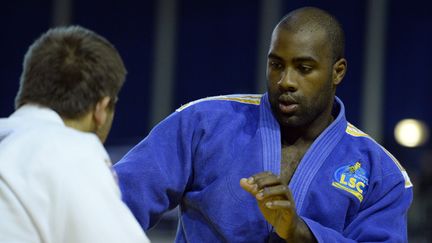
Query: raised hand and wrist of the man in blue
{"x": 277, "y": 206}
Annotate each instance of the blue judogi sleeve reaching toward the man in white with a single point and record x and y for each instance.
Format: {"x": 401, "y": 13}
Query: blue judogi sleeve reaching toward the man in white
{"x": 154, "y": 174}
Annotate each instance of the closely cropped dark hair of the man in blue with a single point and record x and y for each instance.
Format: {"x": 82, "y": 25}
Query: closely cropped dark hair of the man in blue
{"x": 315, "y": 18}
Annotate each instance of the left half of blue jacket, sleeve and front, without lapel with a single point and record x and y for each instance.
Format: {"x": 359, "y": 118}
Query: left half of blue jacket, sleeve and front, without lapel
{"x": 195, "y": 159}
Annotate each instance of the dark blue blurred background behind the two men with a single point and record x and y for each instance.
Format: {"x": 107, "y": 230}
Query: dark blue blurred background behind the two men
{"x": 177, "y": 51}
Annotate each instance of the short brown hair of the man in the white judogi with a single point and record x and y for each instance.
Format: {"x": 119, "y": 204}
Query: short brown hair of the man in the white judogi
{"x": 69, "y": 69}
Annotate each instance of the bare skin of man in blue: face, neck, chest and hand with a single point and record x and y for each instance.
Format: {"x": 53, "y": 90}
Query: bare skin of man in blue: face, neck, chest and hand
{"x": 302, "y": 79}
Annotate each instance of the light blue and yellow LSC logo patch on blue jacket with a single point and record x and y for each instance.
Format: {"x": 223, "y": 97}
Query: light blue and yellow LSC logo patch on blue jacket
{"x": 353, "y": 179}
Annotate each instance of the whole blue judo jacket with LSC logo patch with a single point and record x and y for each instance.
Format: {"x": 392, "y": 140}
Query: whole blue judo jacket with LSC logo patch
{"x": 347, "y": 188}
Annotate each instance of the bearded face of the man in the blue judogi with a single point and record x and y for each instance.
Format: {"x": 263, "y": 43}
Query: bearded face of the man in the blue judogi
{"x": 299, "y": 75}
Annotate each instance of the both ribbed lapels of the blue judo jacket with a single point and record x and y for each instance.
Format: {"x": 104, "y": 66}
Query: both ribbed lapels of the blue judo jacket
{"x": 314, "y": 157}
